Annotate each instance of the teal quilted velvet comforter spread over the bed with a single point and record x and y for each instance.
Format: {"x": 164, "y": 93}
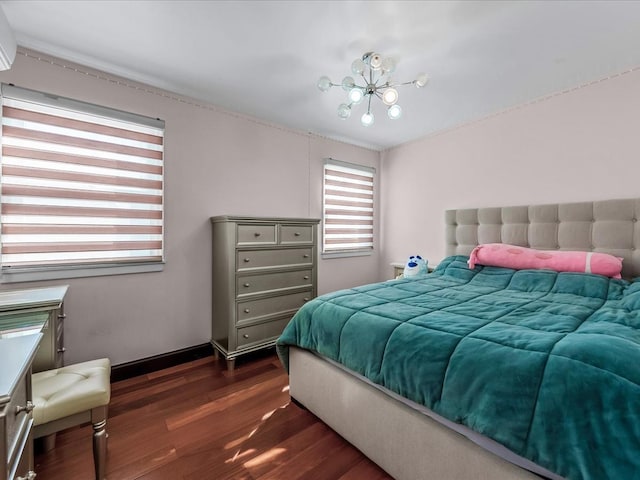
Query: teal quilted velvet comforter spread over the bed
{"x": 545, "y": 363}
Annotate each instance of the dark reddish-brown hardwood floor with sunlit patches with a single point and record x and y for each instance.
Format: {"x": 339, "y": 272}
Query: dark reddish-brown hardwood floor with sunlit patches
{"x": 195, "y": 421}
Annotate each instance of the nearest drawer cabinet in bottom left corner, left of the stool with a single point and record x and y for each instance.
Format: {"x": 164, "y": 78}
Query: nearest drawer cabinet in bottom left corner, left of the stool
{"x": 17, "y": 354}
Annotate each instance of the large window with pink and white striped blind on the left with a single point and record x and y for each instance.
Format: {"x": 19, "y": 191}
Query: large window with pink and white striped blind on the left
{"x": 81, "y": 188}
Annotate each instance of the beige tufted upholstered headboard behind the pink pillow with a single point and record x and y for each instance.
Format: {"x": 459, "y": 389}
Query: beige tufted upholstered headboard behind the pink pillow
{"x": 608, "y": 226}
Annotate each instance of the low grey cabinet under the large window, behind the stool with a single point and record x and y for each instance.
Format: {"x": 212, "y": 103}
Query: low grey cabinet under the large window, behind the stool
{"x": 37, "y": 310}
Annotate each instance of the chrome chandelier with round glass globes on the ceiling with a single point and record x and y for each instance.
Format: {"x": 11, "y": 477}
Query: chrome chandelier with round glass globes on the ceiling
{"x": 376, "y": 72}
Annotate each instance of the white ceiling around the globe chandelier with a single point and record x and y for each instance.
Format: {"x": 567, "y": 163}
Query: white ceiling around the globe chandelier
{"x": 263, "y": 58}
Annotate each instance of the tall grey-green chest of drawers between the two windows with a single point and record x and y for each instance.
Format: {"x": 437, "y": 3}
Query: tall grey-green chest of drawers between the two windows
{"x": 264, "y": 270}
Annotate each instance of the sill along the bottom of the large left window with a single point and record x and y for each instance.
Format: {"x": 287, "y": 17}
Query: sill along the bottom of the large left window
{"x": 52, "y": 273}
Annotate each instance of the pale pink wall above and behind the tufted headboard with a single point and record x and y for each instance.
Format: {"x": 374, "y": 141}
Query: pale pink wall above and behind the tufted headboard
{"x": 579, "y": 145}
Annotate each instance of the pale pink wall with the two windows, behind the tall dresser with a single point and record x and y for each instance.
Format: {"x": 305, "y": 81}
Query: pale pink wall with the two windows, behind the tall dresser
{"x": 217, "y": 162}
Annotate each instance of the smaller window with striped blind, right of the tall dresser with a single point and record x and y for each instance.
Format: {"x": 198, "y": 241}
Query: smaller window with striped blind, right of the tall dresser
{"x": 348, "y": 208}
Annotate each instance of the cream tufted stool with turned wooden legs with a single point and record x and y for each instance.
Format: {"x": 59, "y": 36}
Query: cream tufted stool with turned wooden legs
{"x": 70, "y": 396}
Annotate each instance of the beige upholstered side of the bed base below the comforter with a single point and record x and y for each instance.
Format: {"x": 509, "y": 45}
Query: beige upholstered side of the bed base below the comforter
{"x": 405, "y": 443}
